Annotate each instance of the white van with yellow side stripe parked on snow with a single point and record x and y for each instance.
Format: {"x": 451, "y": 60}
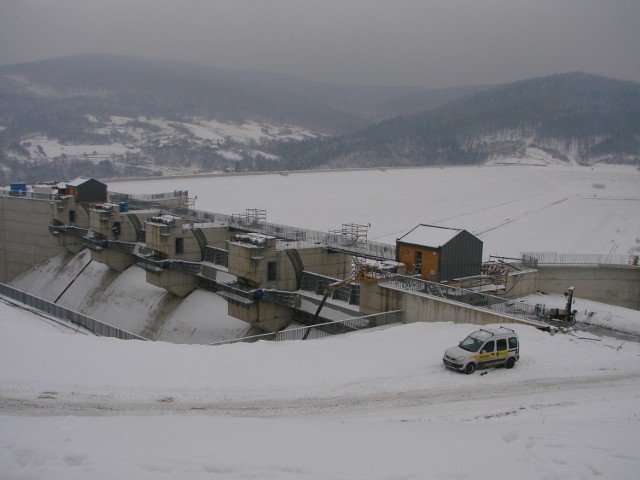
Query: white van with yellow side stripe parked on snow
{"x": 486, "y": 347}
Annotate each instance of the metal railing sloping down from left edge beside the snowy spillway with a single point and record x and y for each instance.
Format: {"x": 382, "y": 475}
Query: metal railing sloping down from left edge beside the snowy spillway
{"x": 95, "y": 326}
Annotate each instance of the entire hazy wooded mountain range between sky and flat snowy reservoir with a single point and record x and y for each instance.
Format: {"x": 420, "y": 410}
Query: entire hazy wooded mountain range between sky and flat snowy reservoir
{"x": 110, "y": 116}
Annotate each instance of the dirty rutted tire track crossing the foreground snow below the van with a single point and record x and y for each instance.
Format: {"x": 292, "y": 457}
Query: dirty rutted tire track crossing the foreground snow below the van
{"x": 82, "y": 405}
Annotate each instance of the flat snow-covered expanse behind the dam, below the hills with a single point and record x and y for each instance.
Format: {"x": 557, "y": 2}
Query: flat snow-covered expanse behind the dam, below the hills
{"x": 512, "y": 209}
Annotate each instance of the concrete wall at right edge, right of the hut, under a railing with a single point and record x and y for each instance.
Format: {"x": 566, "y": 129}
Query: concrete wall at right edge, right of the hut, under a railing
{"x": 613, "y": 284}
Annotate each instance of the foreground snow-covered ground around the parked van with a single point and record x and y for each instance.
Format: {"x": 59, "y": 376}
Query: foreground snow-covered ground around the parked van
{"x": 377, "y": 404}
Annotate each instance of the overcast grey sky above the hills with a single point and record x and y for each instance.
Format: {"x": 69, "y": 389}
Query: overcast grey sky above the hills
{"x": 431, "y": 43}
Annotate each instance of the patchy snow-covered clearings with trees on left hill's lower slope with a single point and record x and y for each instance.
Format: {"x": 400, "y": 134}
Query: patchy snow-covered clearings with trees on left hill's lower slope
{"x": 138, "y": 141}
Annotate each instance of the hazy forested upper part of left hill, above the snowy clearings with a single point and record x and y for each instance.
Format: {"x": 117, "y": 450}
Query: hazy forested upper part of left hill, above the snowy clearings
{"x": 132, "y": 86}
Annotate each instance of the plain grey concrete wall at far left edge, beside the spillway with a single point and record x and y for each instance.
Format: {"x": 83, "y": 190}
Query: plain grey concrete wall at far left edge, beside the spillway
{"x": 25, "y": 240}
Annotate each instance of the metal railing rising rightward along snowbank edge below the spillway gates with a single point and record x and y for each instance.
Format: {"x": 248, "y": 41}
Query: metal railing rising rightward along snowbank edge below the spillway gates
{"x": 324, "y": 329}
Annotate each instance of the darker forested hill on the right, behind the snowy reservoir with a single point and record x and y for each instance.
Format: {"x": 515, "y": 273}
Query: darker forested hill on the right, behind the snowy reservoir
{"x": 575, "y": 116}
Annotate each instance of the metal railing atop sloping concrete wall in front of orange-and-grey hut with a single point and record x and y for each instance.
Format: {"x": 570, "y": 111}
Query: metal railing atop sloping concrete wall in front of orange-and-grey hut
{"x": 509, "y": 307}
